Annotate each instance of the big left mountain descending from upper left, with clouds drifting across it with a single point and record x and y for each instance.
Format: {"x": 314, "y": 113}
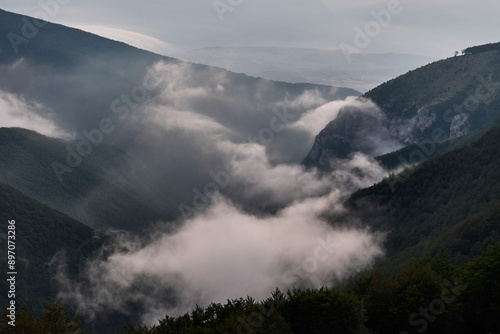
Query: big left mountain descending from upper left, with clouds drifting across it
{"x": 117, "y": 116}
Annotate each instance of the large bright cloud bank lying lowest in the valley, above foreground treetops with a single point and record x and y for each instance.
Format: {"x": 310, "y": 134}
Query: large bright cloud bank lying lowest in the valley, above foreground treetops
{"x": 223, "y": 253}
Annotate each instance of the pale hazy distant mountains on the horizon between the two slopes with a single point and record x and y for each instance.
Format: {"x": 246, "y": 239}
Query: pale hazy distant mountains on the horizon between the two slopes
{"x": 328, "y": 67}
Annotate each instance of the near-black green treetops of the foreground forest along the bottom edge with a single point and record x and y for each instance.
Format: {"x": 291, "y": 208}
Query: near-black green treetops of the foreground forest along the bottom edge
{"x": 430, "y": 295}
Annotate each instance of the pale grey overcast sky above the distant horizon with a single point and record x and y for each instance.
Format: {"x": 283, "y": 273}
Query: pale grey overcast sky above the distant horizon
{"x": 425, "y": 27}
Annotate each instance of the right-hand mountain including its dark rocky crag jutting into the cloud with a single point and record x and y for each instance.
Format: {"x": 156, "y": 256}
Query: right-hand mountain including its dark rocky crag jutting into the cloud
{"x": 441, "y": 101}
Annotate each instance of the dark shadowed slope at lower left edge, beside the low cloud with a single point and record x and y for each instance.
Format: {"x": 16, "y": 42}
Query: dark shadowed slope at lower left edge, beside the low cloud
{"x": 42, "y": 237}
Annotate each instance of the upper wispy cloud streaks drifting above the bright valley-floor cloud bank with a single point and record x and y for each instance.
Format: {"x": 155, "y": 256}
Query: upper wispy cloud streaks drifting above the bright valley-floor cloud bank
{"x": 255, "y": 171}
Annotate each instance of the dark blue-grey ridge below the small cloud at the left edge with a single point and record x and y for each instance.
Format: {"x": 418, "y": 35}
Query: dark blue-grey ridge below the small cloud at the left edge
{"x": 26, "y": 159}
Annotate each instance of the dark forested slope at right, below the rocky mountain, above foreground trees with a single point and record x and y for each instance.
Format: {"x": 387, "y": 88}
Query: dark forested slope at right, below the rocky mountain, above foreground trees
{"x": 448, "y": 201}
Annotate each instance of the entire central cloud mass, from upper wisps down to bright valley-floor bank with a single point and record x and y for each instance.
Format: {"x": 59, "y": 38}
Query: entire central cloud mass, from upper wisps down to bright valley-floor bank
{"x": 260, "y": 224}
